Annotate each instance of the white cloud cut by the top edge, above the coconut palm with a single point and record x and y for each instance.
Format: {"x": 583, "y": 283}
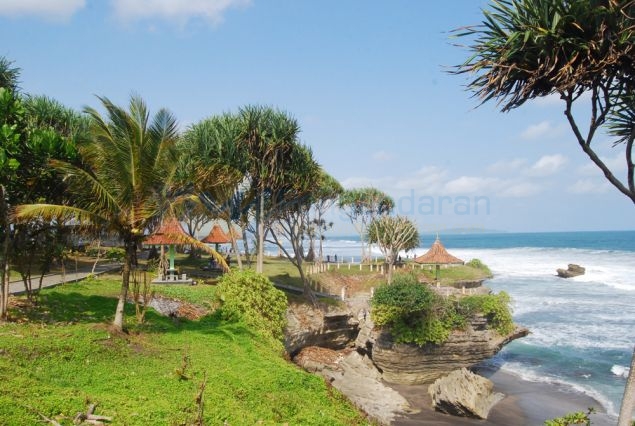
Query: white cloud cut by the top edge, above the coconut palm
{"x": 180, "y": 11}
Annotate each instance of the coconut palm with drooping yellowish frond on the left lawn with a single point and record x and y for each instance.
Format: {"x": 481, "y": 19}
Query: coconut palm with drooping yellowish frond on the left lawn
{"x": 123, "y": 181}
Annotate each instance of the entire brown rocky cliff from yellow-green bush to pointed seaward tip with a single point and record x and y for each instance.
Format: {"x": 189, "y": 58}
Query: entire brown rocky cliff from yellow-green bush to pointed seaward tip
{"x": 399, "y": 363}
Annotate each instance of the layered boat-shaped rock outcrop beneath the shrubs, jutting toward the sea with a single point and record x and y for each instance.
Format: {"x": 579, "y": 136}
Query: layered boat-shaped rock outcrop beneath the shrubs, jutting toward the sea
{"x": 413, "y": 364}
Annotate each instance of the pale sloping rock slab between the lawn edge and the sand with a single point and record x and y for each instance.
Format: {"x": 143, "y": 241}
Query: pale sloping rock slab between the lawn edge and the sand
{"x": 356, "y": 377}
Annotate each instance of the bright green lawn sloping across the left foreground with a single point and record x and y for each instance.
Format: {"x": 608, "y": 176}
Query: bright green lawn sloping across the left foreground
{"x": 60, "y": 355}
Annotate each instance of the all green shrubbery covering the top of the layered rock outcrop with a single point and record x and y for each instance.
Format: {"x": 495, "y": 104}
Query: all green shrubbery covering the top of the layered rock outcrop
{"x": 416, "y": 314}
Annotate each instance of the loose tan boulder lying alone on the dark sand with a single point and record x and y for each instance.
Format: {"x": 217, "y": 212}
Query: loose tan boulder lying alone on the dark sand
{"x": 463, "y": 393}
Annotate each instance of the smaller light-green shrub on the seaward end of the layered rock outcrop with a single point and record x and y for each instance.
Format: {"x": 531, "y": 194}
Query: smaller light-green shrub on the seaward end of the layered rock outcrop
{"x": 494, "y": 306}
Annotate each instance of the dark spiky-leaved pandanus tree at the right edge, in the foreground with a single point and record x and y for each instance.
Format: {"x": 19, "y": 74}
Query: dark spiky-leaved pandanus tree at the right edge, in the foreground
{"x": 580, "y": 50}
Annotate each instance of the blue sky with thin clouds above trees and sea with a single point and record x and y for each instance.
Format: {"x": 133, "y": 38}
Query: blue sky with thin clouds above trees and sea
{"x": 367, "y": 80}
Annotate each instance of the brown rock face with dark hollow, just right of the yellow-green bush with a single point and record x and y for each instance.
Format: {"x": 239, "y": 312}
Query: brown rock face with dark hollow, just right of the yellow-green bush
{"x": 328, "y": 328}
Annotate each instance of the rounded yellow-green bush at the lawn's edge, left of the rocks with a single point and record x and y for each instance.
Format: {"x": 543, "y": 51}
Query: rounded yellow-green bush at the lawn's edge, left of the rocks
{"x": 250, "y": 297}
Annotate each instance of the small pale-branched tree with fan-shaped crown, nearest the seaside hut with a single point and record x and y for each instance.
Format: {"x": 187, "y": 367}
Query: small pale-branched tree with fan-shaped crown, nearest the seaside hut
{"x": 393, "y": 234}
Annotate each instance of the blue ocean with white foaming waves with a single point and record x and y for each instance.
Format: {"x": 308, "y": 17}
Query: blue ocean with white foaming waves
{"x": 582, "y": 328}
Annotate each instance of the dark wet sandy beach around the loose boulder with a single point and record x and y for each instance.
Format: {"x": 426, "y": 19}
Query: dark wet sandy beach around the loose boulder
{"x": 525, "y": 403}
